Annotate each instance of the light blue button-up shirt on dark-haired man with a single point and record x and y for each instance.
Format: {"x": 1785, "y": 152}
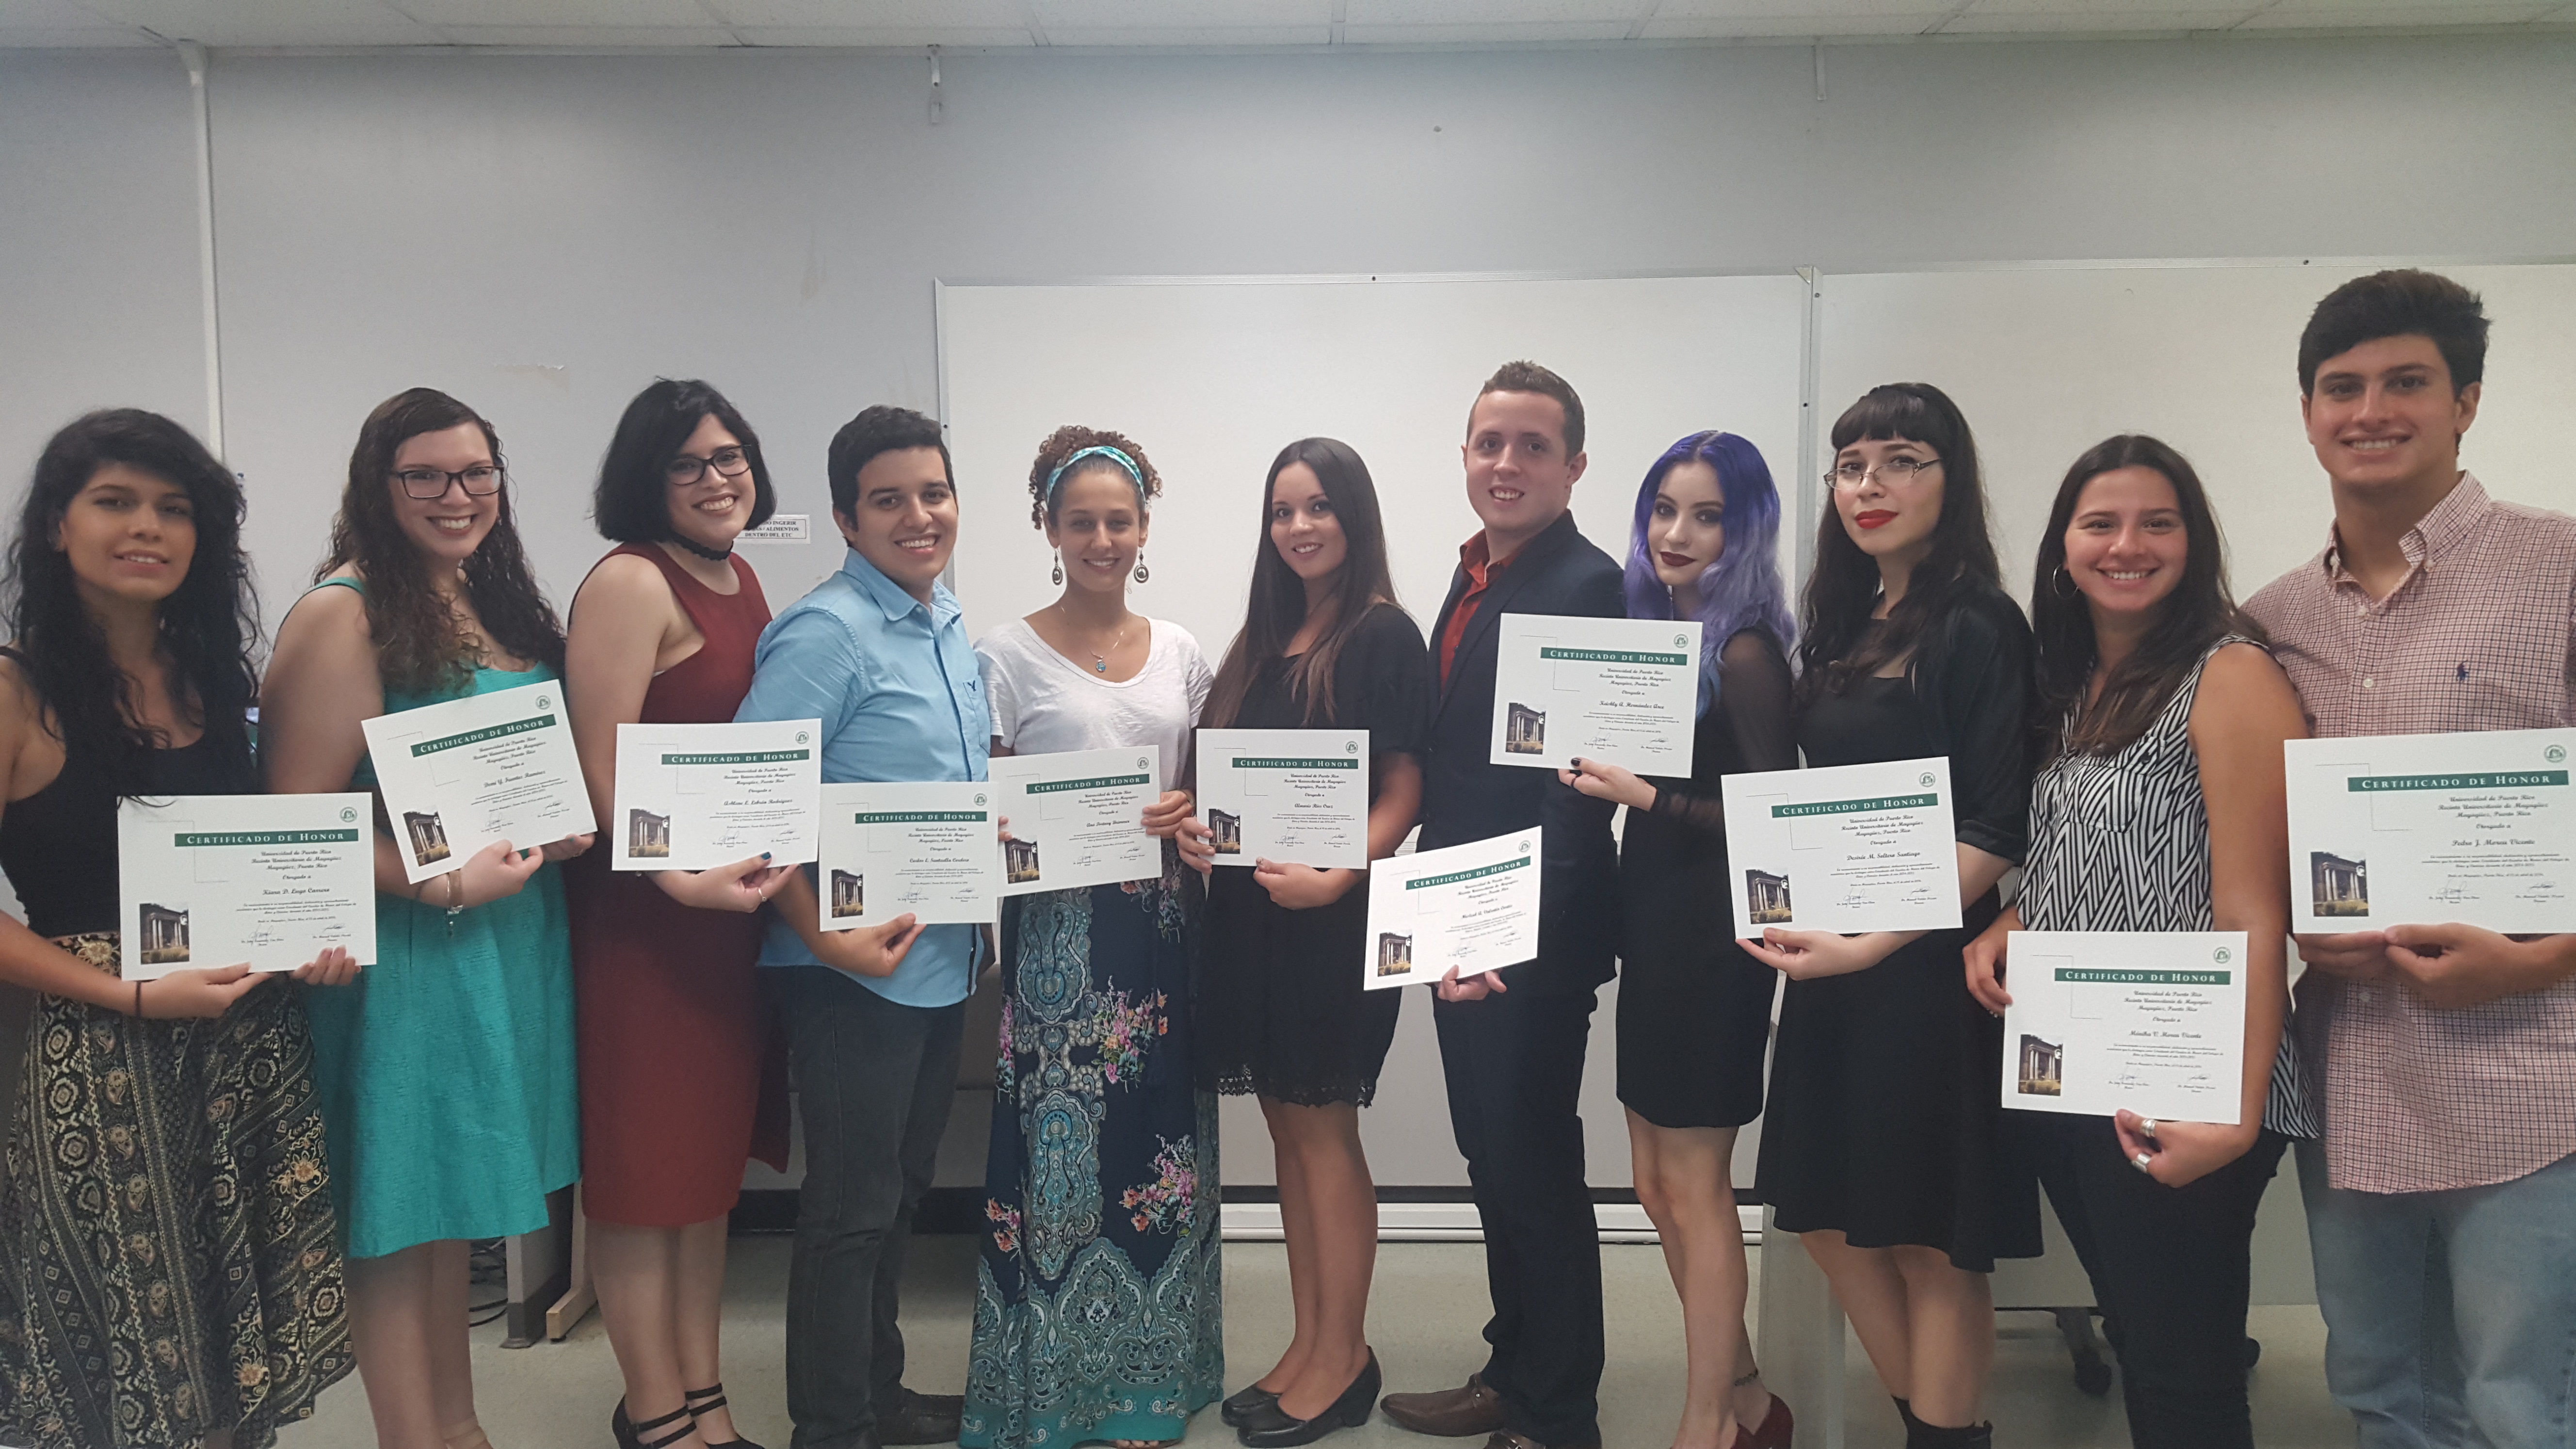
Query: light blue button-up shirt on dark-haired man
{"x": 900, "y": 700}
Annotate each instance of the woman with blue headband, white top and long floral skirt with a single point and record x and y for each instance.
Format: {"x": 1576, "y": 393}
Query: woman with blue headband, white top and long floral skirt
{"x": 1099, "y": 1296}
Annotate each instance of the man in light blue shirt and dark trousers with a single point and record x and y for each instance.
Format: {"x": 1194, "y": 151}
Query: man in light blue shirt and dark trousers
{"x": 875, "y": 1017}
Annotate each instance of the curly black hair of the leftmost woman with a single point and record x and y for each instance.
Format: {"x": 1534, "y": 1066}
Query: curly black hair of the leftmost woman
{"x": 207, "y": 628}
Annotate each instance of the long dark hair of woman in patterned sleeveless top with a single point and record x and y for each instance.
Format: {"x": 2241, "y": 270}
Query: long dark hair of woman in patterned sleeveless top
{"x": 2193, "y": 618}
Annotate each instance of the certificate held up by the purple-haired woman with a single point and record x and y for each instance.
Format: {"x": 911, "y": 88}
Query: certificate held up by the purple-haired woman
{"x": 1606, "y": 690}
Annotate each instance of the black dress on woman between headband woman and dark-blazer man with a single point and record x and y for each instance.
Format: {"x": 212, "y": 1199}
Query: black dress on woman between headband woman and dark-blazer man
{"x": 1282, "y": 1009}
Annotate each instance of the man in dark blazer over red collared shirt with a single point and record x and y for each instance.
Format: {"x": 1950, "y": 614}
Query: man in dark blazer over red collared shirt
{"x": 1513, "y": 1040}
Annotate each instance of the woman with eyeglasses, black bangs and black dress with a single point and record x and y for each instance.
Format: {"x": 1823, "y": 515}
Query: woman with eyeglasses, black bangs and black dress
{"x": 1884, "y": 1136}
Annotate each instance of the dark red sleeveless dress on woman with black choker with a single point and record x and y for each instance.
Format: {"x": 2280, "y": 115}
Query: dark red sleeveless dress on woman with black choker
{"x": 684, "y": 1076}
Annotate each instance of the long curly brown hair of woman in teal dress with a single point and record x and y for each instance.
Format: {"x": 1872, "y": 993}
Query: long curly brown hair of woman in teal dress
{"x": 419, "y": 641}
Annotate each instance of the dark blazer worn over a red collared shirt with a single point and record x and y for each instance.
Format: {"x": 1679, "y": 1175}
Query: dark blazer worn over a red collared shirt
{"x": 1470, "y": 798}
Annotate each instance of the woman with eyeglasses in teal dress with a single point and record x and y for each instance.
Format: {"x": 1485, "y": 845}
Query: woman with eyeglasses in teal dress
{"x": 447, "y": 1074}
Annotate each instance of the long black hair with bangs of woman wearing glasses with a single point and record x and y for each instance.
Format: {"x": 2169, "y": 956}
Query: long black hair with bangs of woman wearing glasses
{"x": 1843, "y": 592}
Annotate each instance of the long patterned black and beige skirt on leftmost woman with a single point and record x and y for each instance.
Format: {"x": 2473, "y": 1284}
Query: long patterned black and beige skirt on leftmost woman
{"x": 166, "y": 1234}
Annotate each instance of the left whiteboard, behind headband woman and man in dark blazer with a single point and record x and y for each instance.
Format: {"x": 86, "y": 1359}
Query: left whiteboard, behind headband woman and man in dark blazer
{"x": 1215, "y": 378}
